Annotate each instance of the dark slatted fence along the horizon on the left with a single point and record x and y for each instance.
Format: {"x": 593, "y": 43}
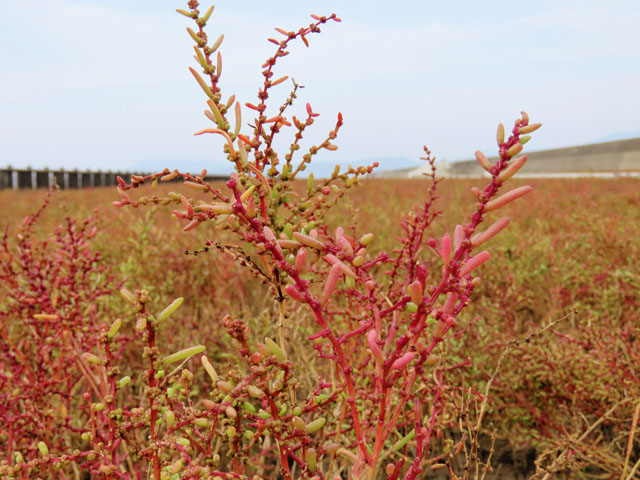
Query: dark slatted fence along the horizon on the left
{"x": 16, "y": 178}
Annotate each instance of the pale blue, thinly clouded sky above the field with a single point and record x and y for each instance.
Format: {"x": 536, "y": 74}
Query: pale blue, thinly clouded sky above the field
{"x": 105, "y": 84}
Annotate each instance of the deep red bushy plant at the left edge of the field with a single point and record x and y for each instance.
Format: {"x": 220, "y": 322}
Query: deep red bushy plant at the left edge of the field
{"x": 53, "y": 308}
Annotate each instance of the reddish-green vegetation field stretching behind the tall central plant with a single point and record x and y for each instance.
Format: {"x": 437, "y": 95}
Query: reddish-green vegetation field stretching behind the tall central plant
{"x": 562, "y": 400}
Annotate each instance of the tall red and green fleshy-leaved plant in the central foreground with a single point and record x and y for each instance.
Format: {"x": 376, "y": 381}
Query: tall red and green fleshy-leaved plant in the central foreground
{"x": 366, "y": 393}
